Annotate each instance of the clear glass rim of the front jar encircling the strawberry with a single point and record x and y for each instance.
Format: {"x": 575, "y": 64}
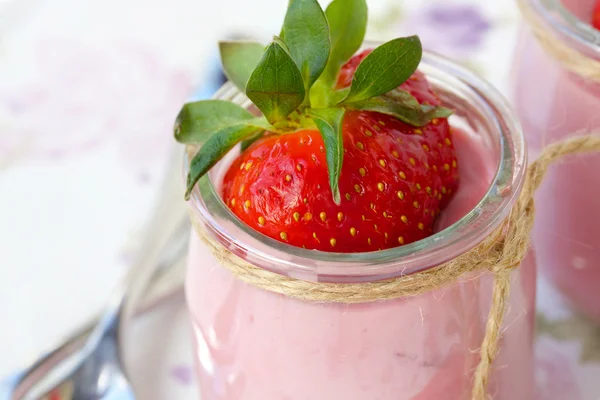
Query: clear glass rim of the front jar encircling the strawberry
{"x": 207, "y": 205}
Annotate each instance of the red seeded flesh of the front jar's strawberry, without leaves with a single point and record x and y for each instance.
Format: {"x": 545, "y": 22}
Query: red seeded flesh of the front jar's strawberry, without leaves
{"x": 394, "y": 181}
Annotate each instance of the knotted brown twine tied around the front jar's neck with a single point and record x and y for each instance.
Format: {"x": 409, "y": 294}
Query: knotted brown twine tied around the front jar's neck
{"x": 500, "y": 253}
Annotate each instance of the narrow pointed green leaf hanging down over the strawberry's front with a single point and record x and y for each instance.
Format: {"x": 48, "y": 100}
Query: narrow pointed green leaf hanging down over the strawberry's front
{"x": 329, "y": 122}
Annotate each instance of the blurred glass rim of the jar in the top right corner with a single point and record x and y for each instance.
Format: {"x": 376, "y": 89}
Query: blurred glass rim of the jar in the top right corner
{"x": 563, "y": 23}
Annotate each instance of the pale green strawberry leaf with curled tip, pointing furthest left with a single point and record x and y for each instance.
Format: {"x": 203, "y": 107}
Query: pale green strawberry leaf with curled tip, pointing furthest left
{"x": 197, "y": 121}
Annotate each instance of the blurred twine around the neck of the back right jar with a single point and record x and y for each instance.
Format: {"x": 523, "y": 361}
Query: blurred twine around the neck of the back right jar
{"x": 569, "y": 57}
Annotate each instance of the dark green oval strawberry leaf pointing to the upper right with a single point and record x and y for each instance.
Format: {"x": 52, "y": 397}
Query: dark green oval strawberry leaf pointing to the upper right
{"x": 385, "y": 68}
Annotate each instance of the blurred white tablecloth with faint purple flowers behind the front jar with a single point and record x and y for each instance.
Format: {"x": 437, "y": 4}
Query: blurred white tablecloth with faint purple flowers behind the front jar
{"x": 88, "y": 94}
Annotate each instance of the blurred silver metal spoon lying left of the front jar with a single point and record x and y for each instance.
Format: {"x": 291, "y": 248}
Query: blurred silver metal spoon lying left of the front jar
{"x": 90, "y": 366}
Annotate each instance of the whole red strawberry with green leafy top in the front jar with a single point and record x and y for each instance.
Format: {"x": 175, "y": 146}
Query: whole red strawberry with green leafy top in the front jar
{"x": 351, "y": 153}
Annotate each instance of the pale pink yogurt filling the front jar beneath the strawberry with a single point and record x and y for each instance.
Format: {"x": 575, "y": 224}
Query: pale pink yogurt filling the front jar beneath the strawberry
{"x": 255, "y": 345}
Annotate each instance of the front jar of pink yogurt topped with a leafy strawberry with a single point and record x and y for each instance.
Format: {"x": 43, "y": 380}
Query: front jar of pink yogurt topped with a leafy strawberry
{"x": 344, "y": 159}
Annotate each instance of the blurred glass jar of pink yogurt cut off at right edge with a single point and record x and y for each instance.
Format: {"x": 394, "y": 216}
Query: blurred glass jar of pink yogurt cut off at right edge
{"x": 554, "y": 102}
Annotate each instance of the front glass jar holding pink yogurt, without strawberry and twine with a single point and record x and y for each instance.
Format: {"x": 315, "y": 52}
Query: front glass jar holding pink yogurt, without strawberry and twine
{"x": 253, "y": 344}
